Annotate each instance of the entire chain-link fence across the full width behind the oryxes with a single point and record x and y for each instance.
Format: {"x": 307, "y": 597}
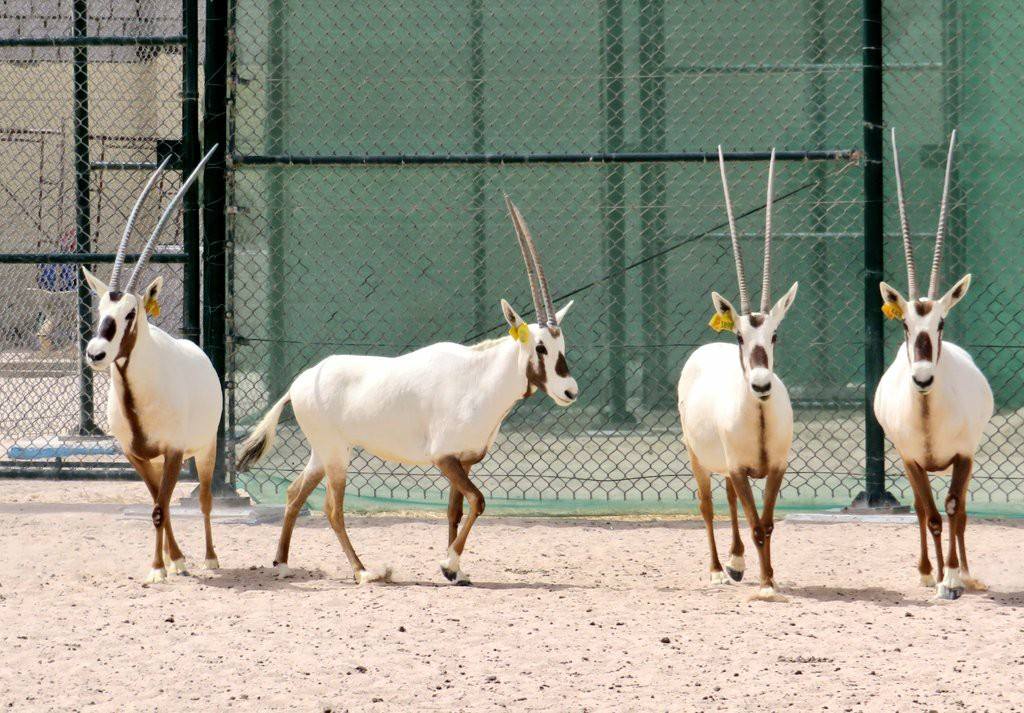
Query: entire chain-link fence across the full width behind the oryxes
{"x": 369, "y": 150}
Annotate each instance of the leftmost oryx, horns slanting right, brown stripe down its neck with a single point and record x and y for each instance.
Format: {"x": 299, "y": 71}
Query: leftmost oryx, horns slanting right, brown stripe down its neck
{"x": 166, "y": 402}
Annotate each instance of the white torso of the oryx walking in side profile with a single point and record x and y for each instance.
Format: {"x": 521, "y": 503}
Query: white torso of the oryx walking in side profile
{"x": 415, "y": 409}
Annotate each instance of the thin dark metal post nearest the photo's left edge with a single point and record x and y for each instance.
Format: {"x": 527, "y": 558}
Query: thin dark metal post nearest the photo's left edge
{"x": 83, "y": 228}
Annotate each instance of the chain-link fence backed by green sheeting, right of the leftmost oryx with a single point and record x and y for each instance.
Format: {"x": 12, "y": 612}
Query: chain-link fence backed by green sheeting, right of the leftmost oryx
{"x": 372, "y": 147}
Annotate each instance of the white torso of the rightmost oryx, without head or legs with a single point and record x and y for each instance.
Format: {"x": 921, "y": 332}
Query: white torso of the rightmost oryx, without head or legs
{"x": 934, "y": 429}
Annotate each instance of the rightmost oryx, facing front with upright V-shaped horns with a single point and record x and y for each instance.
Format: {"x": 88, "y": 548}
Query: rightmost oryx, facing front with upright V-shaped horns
{"x": 933, "y": 402}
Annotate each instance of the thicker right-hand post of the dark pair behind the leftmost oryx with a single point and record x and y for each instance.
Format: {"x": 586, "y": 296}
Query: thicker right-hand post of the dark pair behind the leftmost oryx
{"x": 216, "y": 132}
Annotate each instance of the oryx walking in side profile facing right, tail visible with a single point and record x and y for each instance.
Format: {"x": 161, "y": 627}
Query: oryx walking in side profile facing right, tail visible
{"x": 442, "y": 405}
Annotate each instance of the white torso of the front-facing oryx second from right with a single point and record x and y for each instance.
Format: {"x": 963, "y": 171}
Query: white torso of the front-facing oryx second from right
{"x": 723, "y": 423}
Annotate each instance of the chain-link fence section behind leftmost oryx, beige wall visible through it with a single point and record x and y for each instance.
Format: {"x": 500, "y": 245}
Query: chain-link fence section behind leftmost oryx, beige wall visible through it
{"x": 93, "y": 97}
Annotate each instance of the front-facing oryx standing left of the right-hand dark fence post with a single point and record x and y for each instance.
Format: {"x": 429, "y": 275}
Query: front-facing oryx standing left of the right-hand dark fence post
{"x": 736, "y": 413}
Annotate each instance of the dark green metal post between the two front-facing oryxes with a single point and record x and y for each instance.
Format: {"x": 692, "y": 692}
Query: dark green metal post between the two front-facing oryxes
{"x": 875, "y": 494}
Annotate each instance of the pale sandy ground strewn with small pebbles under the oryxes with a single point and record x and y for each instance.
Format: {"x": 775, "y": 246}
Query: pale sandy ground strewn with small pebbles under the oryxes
{"x": 565, "y": 615}
